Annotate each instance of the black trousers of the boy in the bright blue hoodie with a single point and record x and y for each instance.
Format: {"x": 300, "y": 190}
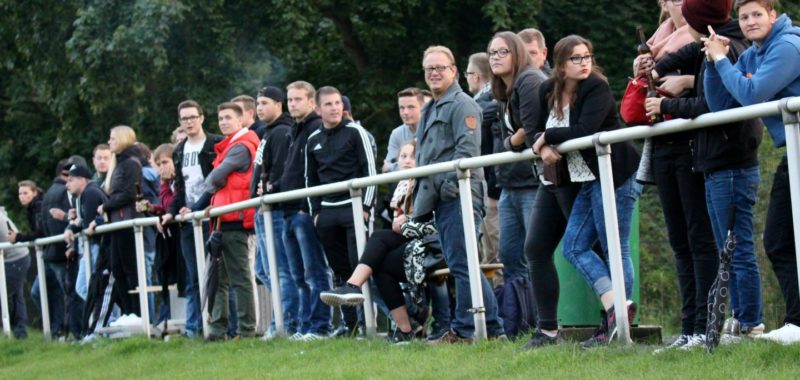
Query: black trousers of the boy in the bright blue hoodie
{"x": 779, "y": 242}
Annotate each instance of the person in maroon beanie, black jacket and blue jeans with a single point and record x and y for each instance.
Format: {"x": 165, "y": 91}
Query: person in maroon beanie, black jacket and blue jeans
{"x": 725, "y": 154}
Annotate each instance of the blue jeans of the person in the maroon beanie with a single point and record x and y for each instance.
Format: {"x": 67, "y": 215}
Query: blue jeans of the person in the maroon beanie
{"x": 725, "y": 190}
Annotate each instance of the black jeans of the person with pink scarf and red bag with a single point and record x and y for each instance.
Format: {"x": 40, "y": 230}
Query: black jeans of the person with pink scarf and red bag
{"x": 682, "y": 195}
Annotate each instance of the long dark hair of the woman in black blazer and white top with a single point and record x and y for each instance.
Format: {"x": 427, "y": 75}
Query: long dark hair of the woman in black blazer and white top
{"x": 561, "y": 54}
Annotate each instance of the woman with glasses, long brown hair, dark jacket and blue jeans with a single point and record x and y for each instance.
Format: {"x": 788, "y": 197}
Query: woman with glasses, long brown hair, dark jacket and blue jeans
{"x": 515, "y": 84}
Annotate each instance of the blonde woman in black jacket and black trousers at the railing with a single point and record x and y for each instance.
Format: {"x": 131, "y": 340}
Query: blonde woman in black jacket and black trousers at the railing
{"x": 122, "y": 181}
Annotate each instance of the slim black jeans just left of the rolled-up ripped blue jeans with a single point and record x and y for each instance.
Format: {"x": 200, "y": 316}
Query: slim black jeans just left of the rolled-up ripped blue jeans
{"x": 548, "y": 221}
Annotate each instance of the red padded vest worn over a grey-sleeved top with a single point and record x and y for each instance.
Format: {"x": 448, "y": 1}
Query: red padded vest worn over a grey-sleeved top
{"x": 237, "y": 188}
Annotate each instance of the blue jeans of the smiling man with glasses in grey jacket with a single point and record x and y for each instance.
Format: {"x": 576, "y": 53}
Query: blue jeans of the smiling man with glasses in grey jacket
{"x": 451, "y": 236}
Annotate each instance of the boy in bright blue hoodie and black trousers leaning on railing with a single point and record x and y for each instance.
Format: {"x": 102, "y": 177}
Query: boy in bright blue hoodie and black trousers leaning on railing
{"x": 768, "y": 70}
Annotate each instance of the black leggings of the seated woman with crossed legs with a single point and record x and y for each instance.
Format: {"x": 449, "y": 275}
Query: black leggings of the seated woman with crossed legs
{"x": 384, "y": 254}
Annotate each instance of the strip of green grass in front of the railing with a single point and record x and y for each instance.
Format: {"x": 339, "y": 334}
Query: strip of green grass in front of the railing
{"x": 350, "y": 359}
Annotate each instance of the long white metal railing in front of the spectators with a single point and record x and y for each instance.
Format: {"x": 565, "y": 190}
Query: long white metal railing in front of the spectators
{"x": 789, "y": 108}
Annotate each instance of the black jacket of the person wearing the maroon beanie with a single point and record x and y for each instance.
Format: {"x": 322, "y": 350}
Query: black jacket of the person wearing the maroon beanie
{"x": 727, "y": 146}
